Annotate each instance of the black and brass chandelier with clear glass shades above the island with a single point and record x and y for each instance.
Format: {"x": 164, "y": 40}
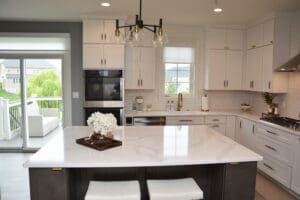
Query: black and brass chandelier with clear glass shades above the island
{"x": 135, "y": 32}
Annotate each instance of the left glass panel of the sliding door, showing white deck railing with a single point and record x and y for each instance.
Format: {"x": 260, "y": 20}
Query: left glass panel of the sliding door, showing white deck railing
{"x": 10, "y": 104}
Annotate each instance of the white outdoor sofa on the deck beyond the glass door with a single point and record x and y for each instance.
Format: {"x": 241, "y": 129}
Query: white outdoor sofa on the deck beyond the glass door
{"x": 41, "y": 121}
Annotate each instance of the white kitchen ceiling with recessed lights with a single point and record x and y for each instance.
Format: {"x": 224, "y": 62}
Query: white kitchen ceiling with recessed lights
{"x": 190, "y": 12}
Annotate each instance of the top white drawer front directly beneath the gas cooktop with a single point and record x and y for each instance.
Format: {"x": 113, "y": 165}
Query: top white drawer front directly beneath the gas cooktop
{"x": 273, "y": 133}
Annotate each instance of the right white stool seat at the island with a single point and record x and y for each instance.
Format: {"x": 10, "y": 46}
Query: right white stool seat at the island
{"x": 174, "y": 189}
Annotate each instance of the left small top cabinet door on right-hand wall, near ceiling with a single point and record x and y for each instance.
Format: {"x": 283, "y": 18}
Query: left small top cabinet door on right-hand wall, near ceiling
{"x": 255, "y": 36}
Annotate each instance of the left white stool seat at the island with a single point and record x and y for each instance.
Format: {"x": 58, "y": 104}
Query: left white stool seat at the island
{"x": 113, "y": 190}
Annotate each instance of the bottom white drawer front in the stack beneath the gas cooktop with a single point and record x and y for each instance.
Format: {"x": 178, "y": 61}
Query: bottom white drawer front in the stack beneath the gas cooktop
{"x": 279, "y": 171}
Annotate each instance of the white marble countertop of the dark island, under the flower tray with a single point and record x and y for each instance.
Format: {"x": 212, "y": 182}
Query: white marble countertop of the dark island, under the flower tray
{"x": 143, "y": 146}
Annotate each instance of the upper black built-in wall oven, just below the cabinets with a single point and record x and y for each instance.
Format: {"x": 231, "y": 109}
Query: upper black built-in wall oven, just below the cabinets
{"x": 104, "y": 88}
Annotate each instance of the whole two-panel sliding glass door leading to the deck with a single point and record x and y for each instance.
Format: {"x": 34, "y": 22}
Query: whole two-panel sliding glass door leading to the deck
{"x": 30, "y": 101}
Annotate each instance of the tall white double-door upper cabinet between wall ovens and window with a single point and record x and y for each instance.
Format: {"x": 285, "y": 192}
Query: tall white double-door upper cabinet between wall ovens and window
{"x": 140, "y": 68}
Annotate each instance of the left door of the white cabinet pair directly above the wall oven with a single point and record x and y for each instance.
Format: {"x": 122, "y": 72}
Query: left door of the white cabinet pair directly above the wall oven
{"x": 92, "y": 56}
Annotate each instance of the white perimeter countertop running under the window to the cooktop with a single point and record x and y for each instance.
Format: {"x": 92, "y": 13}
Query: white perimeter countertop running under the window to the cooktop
{"x": 247, "y": 115}
